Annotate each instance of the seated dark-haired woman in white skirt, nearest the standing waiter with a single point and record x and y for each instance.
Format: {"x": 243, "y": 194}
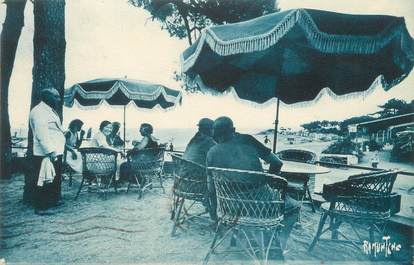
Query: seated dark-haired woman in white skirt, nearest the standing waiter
{"x": 74, "y": 160}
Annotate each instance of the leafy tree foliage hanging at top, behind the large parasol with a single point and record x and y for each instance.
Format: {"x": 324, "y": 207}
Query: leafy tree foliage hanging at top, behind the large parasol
{"x": 186, "y": 18}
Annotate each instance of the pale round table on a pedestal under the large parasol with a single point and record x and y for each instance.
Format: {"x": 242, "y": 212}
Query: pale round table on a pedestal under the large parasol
{"x": 304, "y": 168}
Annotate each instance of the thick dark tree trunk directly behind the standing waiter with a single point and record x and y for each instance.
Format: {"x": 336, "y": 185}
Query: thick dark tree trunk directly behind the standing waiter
{"x": 49, "y": 48}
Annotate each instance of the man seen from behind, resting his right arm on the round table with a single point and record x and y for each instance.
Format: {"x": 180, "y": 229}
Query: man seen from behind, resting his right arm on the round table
{"x": 242, "y": 151}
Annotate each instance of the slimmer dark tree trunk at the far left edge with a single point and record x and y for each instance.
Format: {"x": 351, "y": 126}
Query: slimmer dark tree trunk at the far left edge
{"x": 12, "y": 28}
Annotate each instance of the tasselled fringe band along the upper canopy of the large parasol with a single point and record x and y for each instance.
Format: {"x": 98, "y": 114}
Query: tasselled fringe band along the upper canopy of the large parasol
{"x": 327, "y": 43}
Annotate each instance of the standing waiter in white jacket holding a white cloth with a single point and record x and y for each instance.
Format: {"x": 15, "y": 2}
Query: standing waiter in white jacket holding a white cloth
{"x": 48, "y": 141}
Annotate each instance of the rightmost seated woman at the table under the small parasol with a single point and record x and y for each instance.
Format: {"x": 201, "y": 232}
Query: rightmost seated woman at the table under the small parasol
{"x": 146, "y": 144}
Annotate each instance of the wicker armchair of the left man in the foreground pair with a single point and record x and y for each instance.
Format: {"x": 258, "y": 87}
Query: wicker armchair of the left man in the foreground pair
{"x": 190, "y": 184}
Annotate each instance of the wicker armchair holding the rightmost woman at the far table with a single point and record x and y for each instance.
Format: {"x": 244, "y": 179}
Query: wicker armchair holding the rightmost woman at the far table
{"x": 145, "y": 165}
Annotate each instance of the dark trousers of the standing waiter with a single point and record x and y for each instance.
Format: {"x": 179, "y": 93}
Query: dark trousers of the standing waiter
{"x": 49, "y": 194}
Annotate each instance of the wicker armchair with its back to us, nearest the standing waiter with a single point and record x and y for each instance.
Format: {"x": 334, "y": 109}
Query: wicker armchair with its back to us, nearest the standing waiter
{"x": 99, "y": 167}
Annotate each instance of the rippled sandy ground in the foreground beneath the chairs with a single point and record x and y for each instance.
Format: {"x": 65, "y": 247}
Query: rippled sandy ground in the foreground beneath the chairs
{"x": 125, "y": 230}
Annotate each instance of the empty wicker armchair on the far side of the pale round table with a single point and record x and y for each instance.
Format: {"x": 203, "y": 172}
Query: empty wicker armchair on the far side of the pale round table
{"x": 298, "y": 187}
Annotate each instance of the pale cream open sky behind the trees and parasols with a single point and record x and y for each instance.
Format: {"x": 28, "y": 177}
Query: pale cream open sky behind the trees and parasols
{"x": 110, "y": 38}
